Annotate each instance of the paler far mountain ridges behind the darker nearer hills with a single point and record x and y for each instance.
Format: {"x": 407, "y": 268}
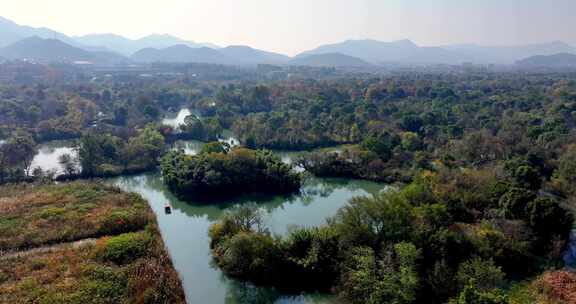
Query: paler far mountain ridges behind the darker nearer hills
{"x": 150, "y": 48}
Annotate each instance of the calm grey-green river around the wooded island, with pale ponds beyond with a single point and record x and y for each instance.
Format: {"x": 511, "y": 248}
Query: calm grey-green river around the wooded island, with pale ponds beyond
{"x": 185, "y": 230}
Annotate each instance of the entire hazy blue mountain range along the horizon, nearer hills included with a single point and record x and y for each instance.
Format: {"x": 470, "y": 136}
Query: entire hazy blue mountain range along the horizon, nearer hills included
{"x": 42, "y": 44}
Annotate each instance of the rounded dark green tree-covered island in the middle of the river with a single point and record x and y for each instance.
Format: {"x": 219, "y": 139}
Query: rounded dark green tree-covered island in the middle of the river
{"x": 219, "y": 171}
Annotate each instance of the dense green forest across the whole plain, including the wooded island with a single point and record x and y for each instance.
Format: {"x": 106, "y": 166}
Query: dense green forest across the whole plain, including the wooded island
{"x": 483, "y": 165}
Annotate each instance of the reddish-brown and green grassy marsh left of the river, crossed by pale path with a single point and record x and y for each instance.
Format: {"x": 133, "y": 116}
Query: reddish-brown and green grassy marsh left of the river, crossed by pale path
{"x": 82, "y": 243}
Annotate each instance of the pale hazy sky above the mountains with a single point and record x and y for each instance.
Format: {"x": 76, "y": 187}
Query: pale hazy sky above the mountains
{"x": 291, "y": 26}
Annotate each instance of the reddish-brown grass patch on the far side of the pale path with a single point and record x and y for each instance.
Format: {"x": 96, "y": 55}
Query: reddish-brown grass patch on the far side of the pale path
{"x": 32, "y": 216}
